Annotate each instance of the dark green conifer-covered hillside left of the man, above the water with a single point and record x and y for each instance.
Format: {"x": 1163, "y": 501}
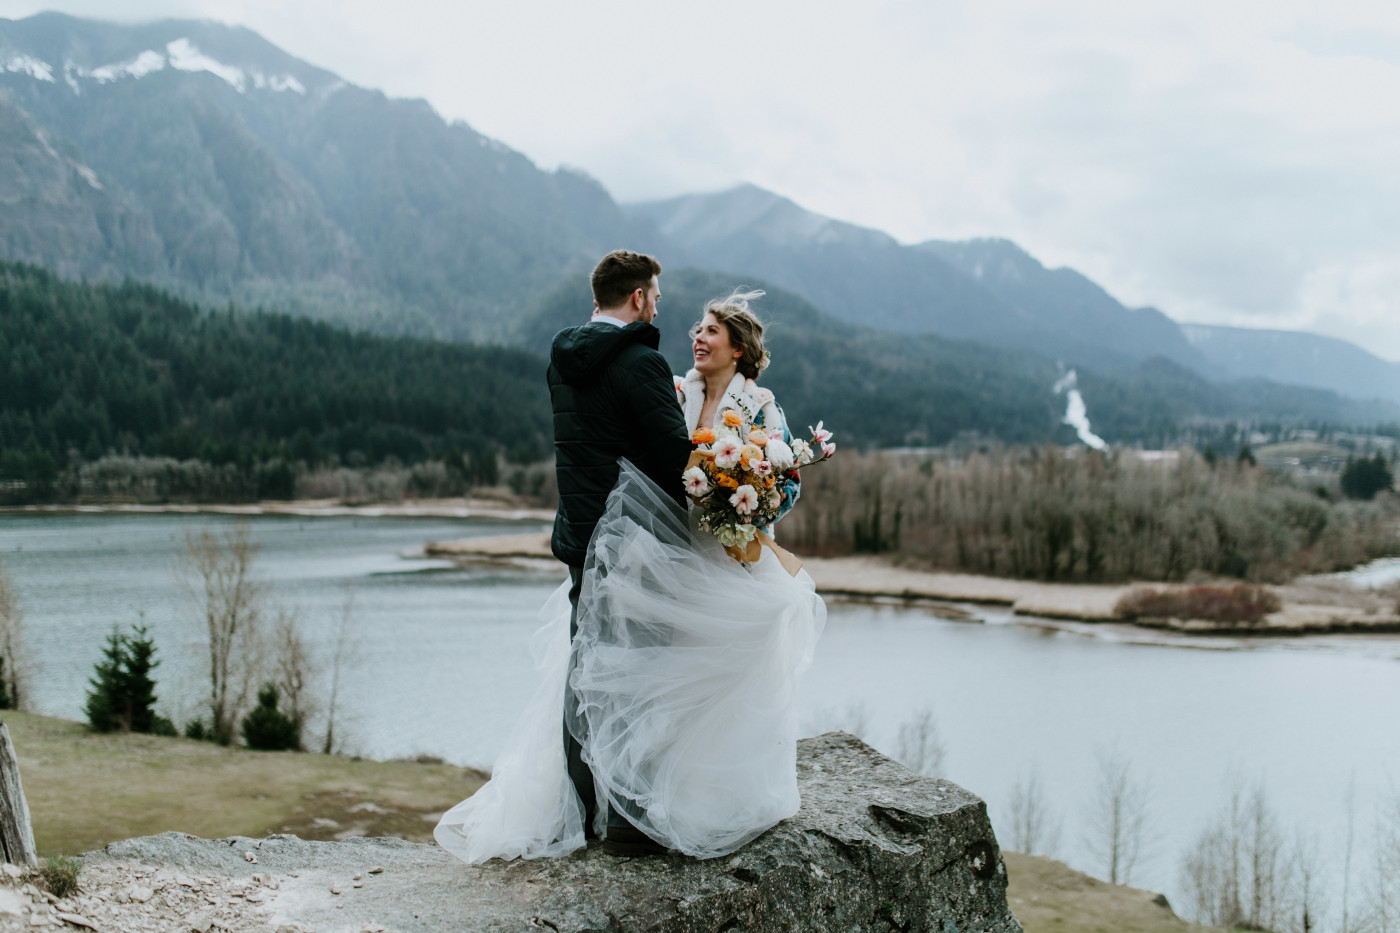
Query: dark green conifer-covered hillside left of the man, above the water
{"x": 96, "y": 369}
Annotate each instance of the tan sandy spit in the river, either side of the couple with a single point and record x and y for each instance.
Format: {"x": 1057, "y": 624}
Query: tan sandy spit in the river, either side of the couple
{"x": 1311, "y": 606}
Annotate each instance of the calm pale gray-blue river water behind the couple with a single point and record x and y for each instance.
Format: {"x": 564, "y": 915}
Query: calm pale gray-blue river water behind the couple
{"x": 442, "y": 662}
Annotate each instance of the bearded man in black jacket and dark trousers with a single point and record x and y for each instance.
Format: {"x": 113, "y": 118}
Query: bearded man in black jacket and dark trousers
{"x": 614, "y": 397}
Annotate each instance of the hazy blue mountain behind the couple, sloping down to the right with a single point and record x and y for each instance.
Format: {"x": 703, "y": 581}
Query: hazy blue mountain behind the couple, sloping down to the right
{"x": 985, "y": 291}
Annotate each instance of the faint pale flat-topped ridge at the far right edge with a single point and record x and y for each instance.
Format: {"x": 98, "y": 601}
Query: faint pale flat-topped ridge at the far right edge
{"x": 1293, "y": 357}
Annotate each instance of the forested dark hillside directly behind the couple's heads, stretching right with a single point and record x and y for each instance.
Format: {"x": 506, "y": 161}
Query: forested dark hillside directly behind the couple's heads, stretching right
{"x": 883, "y": 390}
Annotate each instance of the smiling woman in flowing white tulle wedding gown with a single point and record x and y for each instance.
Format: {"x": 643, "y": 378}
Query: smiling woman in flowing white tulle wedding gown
{"x": 685, "y": 663}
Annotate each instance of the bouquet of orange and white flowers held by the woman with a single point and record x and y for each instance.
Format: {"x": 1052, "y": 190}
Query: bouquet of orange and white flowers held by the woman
{"x": 736, "y": 470}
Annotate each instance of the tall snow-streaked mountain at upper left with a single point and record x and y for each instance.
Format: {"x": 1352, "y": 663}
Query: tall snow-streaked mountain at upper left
{"x": 269, "y": 180}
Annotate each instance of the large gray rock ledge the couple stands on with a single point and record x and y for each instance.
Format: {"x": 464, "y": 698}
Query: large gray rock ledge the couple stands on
{"x": 874, "y": 848}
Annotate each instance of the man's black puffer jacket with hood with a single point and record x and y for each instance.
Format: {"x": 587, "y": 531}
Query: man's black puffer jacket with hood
{"x": 614, "y": 397}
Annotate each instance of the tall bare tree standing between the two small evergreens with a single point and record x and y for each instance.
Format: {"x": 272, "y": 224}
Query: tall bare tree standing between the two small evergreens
{"x": 218, "y": 571}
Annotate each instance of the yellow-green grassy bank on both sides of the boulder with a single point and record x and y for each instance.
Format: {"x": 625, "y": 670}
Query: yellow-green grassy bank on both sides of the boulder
{"x": 86, "y": 791}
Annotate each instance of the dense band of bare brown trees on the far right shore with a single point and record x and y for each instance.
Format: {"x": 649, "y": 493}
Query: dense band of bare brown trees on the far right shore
{"x": 1074, "y": 515}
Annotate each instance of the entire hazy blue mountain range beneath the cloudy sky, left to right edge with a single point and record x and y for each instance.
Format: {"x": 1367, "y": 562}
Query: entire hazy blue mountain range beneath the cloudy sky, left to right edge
{"x": 209, "y": 162}
